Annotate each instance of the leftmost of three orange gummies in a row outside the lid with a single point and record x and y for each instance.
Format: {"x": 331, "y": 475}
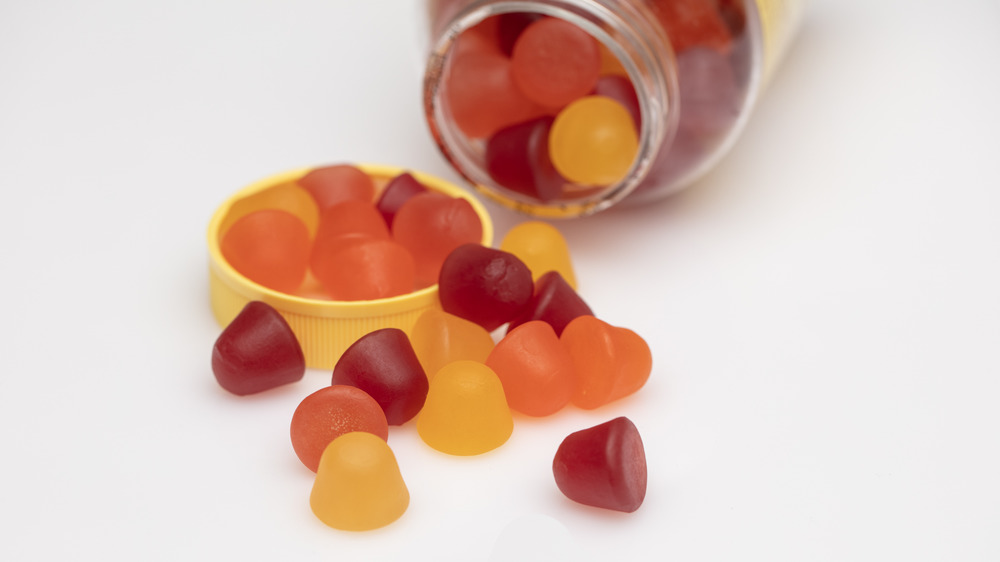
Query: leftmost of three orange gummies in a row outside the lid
{"x": 535, "y": 369}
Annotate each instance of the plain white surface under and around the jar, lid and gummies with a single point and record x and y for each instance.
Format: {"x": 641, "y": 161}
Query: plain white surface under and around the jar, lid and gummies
{"x": 823, "y": 308}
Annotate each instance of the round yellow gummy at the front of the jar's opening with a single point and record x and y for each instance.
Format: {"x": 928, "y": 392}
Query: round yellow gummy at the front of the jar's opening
{"x": 593, "y": 141}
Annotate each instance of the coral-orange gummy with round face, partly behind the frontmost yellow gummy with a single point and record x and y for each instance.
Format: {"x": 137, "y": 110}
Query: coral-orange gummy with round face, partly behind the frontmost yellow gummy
{"x": 329, "y": 413}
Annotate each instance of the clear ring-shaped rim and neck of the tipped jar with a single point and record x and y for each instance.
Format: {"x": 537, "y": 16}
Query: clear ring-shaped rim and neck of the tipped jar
{"x": 629, "y": 32}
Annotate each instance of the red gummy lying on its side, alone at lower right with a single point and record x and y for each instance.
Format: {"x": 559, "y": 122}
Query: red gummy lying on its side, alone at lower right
{"x": 603, "y": 466}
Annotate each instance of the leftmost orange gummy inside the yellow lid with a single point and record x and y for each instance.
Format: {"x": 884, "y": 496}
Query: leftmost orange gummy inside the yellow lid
{"x": 269, "y": 247}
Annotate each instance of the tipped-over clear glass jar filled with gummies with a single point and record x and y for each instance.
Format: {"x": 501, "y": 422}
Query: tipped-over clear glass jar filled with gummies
{"x": 512, "y": 117}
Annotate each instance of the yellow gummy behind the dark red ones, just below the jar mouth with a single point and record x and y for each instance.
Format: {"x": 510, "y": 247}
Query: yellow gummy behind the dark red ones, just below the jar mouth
{"x": 542, "y": 248}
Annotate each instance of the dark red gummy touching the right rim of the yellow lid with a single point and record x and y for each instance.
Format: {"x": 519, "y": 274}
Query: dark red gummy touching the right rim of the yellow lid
{"x": 483, "y": 285}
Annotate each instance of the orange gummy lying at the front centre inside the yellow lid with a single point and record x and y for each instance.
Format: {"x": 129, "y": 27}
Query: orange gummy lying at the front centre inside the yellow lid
{"x": 366, "y": 269}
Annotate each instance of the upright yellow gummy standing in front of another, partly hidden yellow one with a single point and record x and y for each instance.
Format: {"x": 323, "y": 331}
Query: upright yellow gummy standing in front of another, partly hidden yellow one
{"x": 466, "y": 411}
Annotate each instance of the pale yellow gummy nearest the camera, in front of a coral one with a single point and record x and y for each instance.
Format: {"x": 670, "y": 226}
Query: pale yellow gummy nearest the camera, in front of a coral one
{"x": 358, "y": 486}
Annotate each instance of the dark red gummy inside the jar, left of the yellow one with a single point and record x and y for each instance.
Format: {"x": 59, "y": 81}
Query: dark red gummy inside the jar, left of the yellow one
{"x": 517, "y": 157}
